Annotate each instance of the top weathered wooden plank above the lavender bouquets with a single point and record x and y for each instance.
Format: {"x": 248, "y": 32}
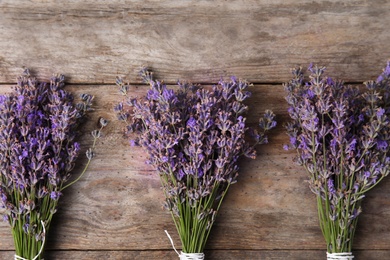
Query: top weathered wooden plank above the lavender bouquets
{"x": 92, "y": 41}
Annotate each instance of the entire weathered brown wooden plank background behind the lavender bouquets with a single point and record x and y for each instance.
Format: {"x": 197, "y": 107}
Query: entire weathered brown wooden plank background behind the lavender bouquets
{"x": 115, "y": 211}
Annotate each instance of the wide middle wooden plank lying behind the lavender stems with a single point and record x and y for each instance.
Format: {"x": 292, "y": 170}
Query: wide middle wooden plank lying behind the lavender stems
{"x": 117, "y": 205}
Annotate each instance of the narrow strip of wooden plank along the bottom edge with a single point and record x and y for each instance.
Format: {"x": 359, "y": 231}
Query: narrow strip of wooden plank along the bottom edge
{"x": 210, "y": 255}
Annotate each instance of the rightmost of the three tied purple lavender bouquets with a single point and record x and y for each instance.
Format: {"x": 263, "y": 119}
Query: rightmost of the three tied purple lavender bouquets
{"x": 342, "y": 137}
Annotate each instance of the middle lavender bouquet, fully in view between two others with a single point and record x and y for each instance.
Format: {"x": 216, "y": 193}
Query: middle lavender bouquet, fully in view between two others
{"x": 194, "y": 138}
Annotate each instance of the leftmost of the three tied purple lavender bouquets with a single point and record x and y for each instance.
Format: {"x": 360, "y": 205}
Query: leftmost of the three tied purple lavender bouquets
{"x": 38, "y": 127}
